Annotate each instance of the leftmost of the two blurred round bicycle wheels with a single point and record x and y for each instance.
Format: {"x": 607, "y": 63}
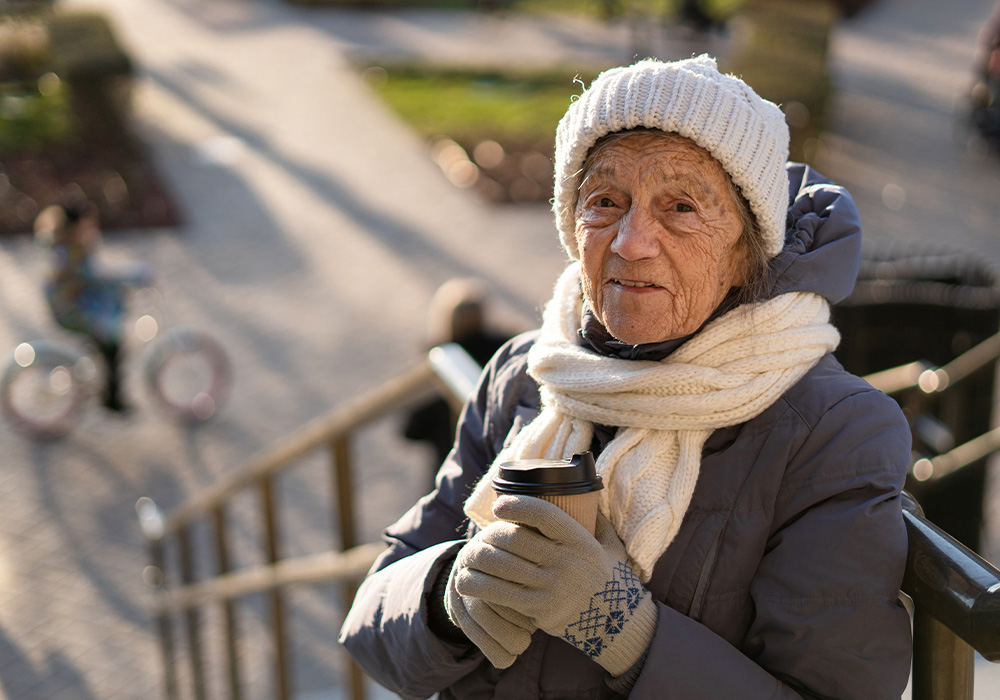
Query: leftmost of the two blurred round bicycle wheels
{"x": 45, "y": 386}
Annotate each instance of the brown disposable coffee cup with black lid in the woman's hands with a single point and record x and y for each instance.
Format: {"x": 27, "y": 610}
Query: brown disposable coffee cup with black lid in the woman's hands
{"x": 572, "y": 484}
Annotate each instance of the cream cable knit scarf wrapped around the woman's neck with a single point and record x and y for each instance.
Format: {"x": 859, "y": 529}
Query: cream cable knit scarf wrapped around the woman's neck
{"x": 730, "y": 372}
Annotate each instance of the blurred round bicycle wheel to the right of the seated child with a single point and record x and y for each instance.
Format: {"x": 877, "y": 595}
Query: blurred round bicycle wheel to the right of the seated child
{"x": 187, "y": 373}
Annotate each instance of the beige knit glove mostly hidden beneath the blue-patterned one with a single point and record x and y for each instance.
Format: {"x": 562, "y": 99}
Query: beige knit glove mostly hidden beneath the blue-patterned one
{"x": 501, "y": 634}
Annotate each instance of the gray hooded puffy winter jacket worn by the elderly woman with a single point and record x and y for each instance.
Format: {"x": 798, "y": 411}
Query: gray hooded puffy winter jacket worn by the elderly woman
{"x": 783, "y": 581}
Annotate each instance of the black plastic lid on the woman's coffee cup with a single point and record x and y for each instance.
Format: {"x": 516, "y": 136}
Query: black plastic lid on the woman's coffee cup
{"x": 549, "y": 477}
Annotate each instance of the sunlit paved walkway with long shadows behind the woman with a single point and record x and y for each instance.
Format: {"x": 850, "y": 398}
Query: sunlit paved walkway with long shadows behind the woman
{"x": 315, "y": 232}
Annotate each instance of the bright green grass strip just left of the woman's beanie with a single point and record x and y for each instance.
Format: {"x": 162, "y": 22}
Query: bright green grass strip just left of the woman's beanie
{"x": 468, "y": 105}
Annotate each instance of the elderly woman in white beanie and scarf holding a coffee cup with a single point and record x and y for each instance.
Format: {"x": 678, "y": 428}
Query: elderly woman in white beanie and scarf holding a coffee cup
{"x": 750, "y": 542}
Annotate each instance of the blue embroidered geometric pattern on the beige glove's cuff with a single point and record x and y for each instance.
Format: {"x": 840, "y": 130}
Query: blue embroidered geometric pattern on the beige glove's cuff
{"x": 607, "y": 613}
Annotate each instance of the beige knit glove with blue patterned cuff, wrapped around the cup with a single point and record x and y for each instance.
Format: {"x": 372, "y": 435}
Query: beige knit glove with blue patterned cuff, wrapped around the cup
{"x": 546, "y": 566}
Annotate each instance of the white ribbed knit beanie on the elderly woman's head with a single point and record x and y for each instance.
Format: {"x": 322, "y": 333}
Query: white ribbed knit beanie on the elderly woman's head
{"x": 744, "y": 132}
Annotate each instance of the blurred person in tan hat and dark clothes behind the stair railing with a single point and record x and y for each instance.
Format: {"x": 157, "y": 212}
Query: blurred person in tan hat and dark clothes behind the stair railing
{"x": 457, "y": 314}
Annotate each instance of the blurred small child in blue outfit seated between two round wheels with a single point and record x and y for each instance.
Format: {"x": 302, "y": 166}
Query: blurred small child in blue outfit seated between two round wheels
{"x": 85, "y": 295}
